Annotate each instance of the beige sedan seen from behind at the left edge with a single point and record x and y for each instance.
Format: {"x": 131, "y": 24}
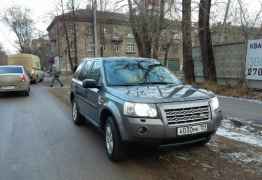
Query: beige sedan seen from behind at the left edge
{"x": 14, "y": 79}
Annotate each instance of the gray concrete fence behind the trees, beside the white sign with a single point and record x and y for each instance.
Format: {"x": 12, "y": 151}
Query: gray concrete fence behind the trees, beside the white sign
{"x": 230, "y": 64}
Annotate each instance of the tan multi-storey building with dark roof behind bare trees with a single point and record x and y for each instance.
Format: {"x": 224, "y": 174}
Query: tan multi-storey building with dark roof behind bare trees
{"x": 114, "y": 37}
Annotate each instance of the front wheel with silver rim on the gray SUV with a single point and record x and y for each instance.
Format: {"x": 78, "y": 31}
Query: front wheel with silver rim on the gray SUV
{"x": 114, "y": 146}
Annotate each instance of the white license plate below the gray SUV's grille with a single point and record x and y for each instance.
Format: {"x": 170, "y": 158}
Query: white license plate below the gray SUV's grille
{"x": 191, "y": 129}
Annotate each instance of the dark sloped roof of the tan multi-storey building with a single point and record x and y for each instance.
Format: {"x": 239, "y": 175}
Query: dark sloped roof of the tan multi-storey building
{"x": 85, "y": 15}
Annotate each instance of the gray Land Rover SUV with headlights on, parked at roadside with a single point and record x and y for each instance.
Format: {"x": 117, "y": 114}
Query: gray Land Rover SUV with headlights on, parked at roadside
{"x": 137, "y": 100}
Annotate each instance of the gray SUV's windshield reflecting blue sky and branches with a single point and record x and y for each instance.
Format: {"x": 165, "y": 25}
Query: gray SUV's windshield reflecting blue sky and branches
{"x": 137, "y": 72}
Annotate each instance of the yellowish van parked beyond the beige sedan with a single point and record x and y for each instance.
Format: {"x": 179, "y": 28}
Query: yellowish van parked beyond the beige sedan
{"x": 31, "y": 63}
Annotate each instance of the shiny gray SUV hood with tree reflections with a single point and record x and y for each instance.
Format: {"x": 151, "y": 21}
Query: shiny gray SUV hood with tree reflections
{"x": 159, "y": 93}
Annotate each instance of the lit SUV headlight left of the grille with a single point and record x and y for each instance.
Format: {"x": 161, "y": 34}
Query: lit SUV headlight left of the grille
{"x": 140, "y": 110}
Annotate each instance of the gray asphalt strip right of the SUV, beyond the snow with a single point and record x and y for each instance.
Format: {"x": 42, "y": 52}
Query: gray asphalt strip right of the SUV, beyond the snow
{"x": 242, "y": 109}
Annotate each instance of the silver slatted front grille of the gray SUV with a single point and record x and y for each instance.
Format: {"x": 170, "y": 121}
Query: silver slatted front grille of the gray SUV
{"x": 187, "y": 115}
